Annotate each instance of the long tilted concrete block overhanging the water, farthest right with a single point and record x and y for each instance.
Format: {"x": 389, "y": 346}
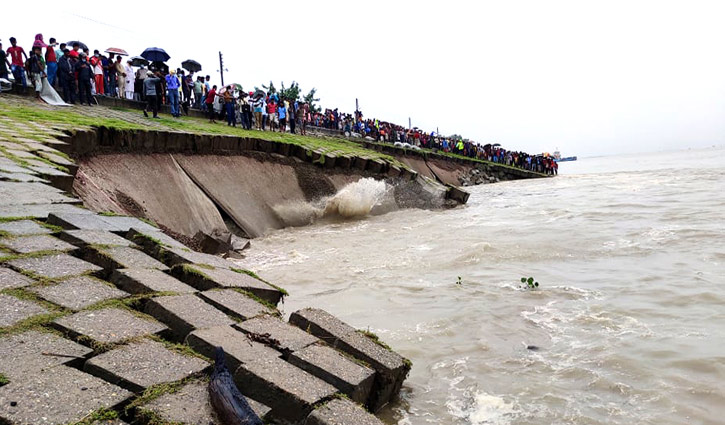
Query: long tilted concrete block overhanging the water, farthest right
{"x": 391, "y": 368}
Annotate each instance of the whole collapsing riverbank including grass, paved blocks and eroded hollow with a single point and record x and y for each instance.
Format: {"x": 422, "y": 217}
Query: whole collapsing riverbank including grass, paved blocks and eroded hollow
{"x": 109, "y": 294}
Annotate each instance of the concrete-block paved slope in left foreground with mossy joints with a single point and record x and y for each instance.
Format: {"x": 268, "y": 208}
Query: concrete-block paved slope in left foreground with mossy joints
{"x": 111, "y": 319}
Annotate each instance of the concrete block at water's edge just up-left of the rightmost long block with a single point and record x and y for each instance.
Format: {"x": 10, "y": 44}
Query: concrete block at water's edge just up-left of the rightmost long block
{"x": 204, "y": 278}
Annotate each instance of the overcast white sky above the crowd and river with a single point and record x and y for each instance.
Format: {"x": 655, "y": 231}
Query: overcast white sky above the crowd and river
{"x": 588, "y": 77}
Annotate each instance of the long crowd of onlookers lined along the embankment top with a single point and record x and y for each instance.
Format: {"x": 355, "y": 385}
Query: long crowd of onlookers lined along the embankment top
{"x": 78, "y": 76}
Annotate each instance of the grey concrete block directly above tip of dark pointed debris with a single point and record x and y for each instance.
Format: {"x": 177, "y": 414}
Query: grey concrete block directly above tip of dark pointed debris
{"x": 237, "y": 347}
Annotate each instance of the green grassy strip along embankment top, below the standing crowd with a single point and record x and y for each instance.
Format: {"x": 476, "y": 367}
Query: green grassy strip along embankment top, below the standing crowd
{"x": 71, "y": 119}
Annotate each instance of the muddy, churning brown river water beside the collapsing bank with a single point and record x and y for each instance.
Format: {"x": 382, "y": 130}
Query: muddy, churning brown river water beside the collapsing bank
{"x": 628, "y": 323}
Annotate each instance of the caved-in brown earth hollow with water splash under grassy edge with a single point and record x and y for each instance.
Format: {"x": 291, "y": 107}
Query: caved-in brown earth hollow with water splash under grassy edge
{"x": 191, "y": 184}
